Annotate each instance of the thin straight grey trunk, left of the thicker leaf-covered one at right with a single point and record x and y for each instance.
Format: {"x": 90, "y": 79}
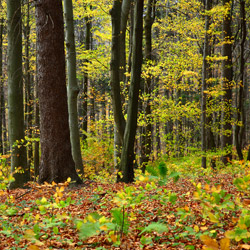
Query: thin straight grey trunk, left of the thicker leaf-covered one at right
{"x": 205, "y": 77}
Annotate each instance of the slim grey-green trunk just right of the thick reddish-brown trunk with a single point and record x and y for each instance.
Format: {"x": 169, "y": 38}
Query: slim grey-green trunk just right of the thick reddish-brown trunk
{"x": 73, "y": 88}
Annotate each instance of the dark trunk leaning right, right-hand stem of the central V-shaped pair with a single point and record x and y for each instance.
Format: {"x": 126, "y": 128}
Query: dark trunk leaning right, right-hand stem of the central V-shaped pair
{"x": 127, "y": 156}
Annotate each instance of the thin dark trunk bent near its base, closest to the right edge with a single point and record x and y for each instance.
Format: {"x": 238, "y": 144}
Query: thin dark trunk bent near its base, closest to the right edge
{"x": 240, "y": 107}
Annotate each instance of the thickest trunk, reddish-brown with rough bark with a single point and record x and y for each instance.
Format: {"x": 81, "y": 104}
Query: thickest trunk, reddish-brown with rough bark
{"x": 56, "y": 159}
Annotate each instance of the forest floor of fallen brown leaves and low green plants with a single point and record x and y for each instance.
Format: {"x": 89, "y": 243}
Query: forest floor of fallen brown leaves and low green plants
{"x": 160, "y": 210}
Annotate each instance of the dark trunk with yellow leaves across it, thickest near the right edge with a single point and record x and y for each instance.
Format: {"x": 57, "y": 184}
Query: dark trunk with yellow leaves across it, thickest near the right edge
{"x": 227, "y": 77}
